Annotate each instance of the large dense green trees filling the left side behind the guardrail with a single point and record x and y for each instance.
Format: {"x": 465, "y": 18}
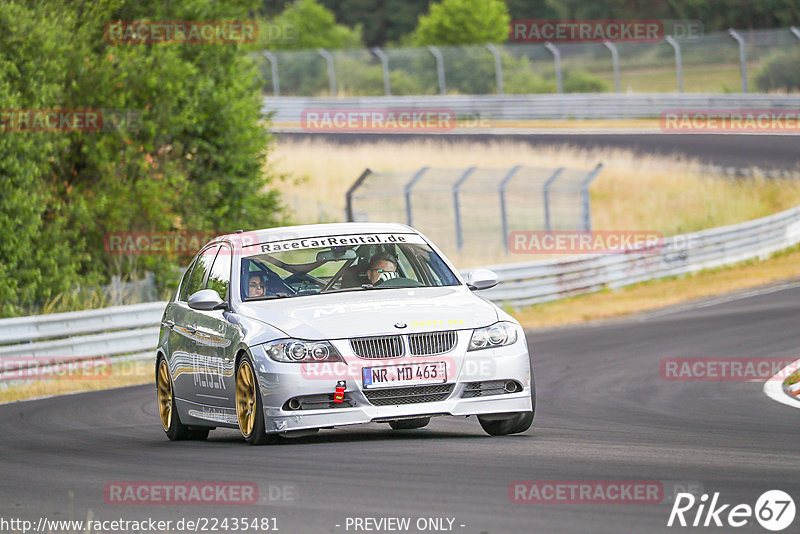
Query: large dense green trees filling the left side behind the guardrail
{"x": 194, "y": 161}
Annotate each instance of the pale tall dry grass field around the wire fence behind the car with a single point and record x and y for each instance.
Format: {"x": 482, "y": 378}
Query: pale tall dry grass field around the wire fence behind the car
{"x": 653, "y": 193}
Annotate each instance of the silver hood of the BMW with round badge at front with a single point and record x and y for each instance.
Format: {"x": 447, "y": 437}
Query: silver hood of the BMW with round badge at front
{"x": 374, "y": 312}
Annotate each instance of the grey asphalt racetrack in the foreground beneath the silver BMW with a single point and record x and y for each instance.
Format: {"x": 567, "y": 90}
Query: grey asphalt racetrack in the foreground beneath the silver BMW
{"x": 603, "y": 413}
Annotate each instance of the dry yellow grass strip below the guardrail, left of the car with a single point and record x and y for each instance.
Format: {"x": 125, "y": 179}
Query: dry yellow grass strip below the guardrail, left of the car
{"x": 122, "y": 374}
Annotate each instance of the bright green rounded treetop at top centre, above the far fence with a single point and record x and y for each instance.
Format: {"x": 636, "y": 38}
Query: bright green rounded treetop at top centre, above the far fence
{"x": 463, "y": 22}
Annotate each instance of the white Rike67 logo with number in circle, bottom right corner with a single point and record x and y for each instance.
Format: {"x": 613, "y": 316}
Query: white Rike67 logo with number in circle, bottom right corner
{"x": 774, "y": 510}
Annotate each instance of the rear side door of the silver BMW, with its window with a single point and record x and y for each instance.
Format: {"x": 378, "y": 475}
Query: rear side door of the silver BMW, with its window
{"x": 183, "y": 340}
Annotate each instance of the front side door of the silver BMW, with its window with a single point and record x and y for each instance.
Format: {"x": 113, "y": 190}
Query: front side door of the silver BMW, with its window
{"x": 214, "y": 380}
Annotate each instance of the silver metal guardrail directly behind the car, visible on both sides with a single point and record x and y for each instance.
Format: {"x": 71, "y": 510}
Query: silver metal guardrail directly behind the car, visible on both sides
{"x": 521, "y": 284}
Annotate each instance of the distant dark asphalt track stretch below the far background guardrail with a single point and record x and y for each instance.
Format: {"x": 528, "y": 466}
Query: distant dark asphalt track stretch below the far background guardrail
{"x": 776, "y": 152}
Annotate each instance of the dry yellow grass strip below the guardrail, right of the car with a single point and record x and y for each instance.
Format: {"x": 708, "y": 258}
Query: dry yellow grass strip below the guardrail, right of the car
{"x": 658, "y": 294}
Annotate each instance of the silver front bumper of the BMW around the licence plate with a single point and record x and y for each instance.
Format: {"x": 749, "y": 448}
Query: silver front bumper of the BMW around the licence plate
{"x": 280, "y": 382}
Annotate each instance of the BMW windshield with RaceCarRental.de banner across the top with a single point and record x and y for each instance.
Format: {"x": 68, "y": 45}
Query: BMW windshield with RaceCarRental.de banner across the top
{"x": 309, "y": 266}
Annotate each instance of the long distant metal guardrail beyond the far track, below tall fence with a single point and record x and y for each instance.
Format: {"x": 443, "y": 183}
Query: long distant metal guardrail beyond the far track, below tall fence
{"x": 483, "y": 109}
